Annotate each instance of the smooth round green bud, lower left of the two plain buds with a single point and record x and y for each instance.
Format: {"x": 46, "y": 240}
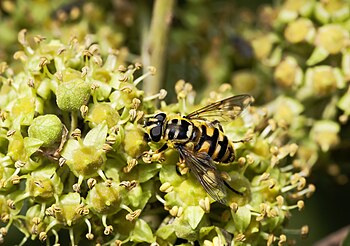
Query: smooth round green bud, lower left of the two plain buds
{"x": 47, "y": 128}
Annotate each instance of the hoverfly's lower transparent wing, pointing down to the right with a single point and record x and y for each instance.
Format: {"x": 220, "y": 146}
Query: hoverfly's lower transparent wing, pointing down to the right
{"x": 202, "y": 166}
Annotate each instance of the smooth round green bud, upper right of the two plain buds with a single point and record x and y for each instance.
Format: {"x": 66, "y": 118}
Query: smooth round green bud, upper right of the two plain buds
{"x": 70, "y": 96}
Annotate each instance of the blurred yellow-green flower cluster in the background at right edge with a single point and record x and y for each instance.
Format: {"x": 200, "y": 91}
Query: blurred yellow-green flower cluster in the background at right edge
{"x": 304, "y": 52}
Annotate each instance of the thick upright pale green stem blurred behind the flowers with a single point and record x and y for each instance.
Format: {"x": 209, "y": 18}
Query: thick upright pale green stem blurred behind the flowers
{"x": 155, "y": 43}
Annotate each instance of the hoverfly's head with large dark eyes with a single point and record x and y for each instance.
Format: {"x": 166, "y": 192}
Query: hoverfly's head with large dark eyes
{"x": 154, "y": 127}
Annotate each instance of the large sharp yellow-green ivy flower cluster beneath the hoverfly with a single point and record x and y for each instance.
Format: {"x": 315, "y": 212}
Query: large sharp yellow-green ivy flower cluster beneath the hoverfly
{"x": 71, "y": 145}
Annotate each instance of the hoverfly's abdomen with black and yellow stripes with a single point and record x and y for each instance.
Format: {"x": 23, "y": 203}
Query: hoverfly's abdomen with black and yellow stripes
{"x": 209, "y": 139}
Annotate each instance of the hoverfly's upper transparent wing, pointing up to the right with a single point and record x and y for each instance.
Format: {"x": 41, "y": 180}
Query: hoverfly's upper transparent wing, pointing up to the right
{"x": 228, "y": 108}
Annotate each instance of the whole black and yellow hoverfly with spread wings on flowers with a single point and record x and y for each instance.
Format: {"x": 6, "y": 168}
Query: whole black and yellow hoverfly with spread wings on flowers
{"x": 199, "y": 141}
